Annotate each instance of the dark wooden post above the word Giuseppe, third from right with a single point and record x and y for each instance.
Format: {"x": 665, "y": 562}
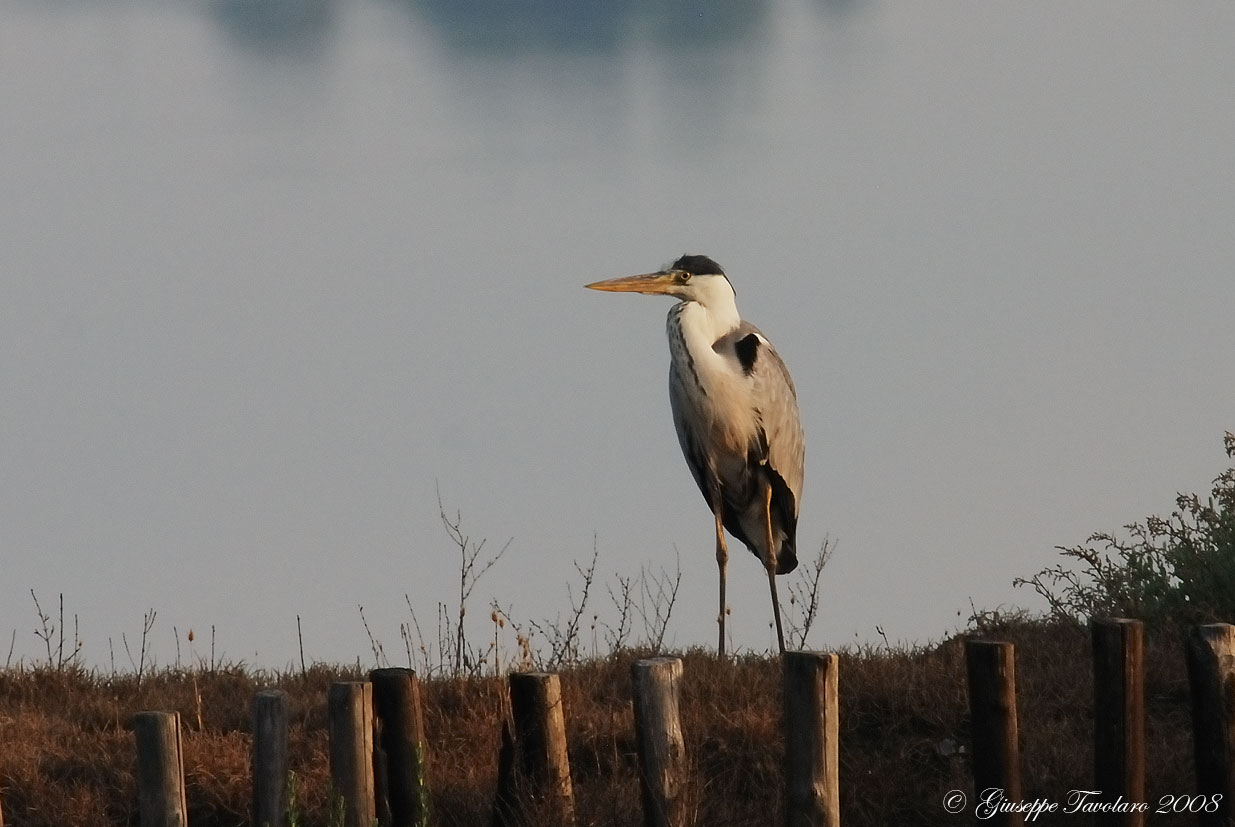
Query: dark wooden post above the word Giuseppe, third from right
{"x": 992, "y": 673}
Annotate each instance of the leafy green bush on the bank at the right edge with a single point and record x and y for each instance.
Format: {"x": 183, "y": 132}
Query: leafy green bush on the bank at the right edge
{"x": 1174, "y": 570}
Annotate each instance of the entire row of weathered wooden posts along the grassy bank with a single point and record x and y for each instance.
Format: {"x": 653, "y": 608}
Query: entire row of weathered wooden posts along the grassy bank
{"x": 379, "y": 746}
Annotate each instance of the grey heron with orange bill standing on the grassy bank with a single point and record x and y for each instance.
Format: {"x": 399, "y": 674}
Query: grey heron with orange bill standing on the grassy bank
{"x": 737, "y": 415}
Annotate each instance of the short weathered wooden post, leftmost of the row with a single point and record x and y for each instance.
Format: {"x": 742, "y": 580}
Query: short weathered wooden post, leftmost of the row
{"x": 161, "y": 802}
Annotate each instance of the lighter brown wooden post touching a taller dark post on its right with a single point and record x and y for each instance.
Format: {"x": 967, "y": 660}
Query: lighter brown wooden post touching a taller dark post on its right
{"x": 351, "y": 750}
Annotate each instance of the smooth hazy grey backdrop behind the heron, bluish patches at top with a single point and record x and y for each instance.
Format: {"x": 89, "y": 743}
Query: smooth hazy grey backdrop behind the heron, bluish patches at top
{"x": 272, "y": 273}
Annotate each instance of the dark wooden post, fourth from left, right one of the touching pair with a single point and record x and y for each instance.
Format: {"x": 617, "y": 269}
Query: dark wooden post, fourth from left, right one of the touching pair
{"x": 402, "y": 740}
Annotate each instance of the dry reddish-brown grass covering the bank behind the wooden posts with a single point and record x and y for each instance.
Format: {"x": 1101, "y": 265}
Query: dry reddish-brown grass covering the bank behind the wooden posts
{"x": 67, "y": 755}
